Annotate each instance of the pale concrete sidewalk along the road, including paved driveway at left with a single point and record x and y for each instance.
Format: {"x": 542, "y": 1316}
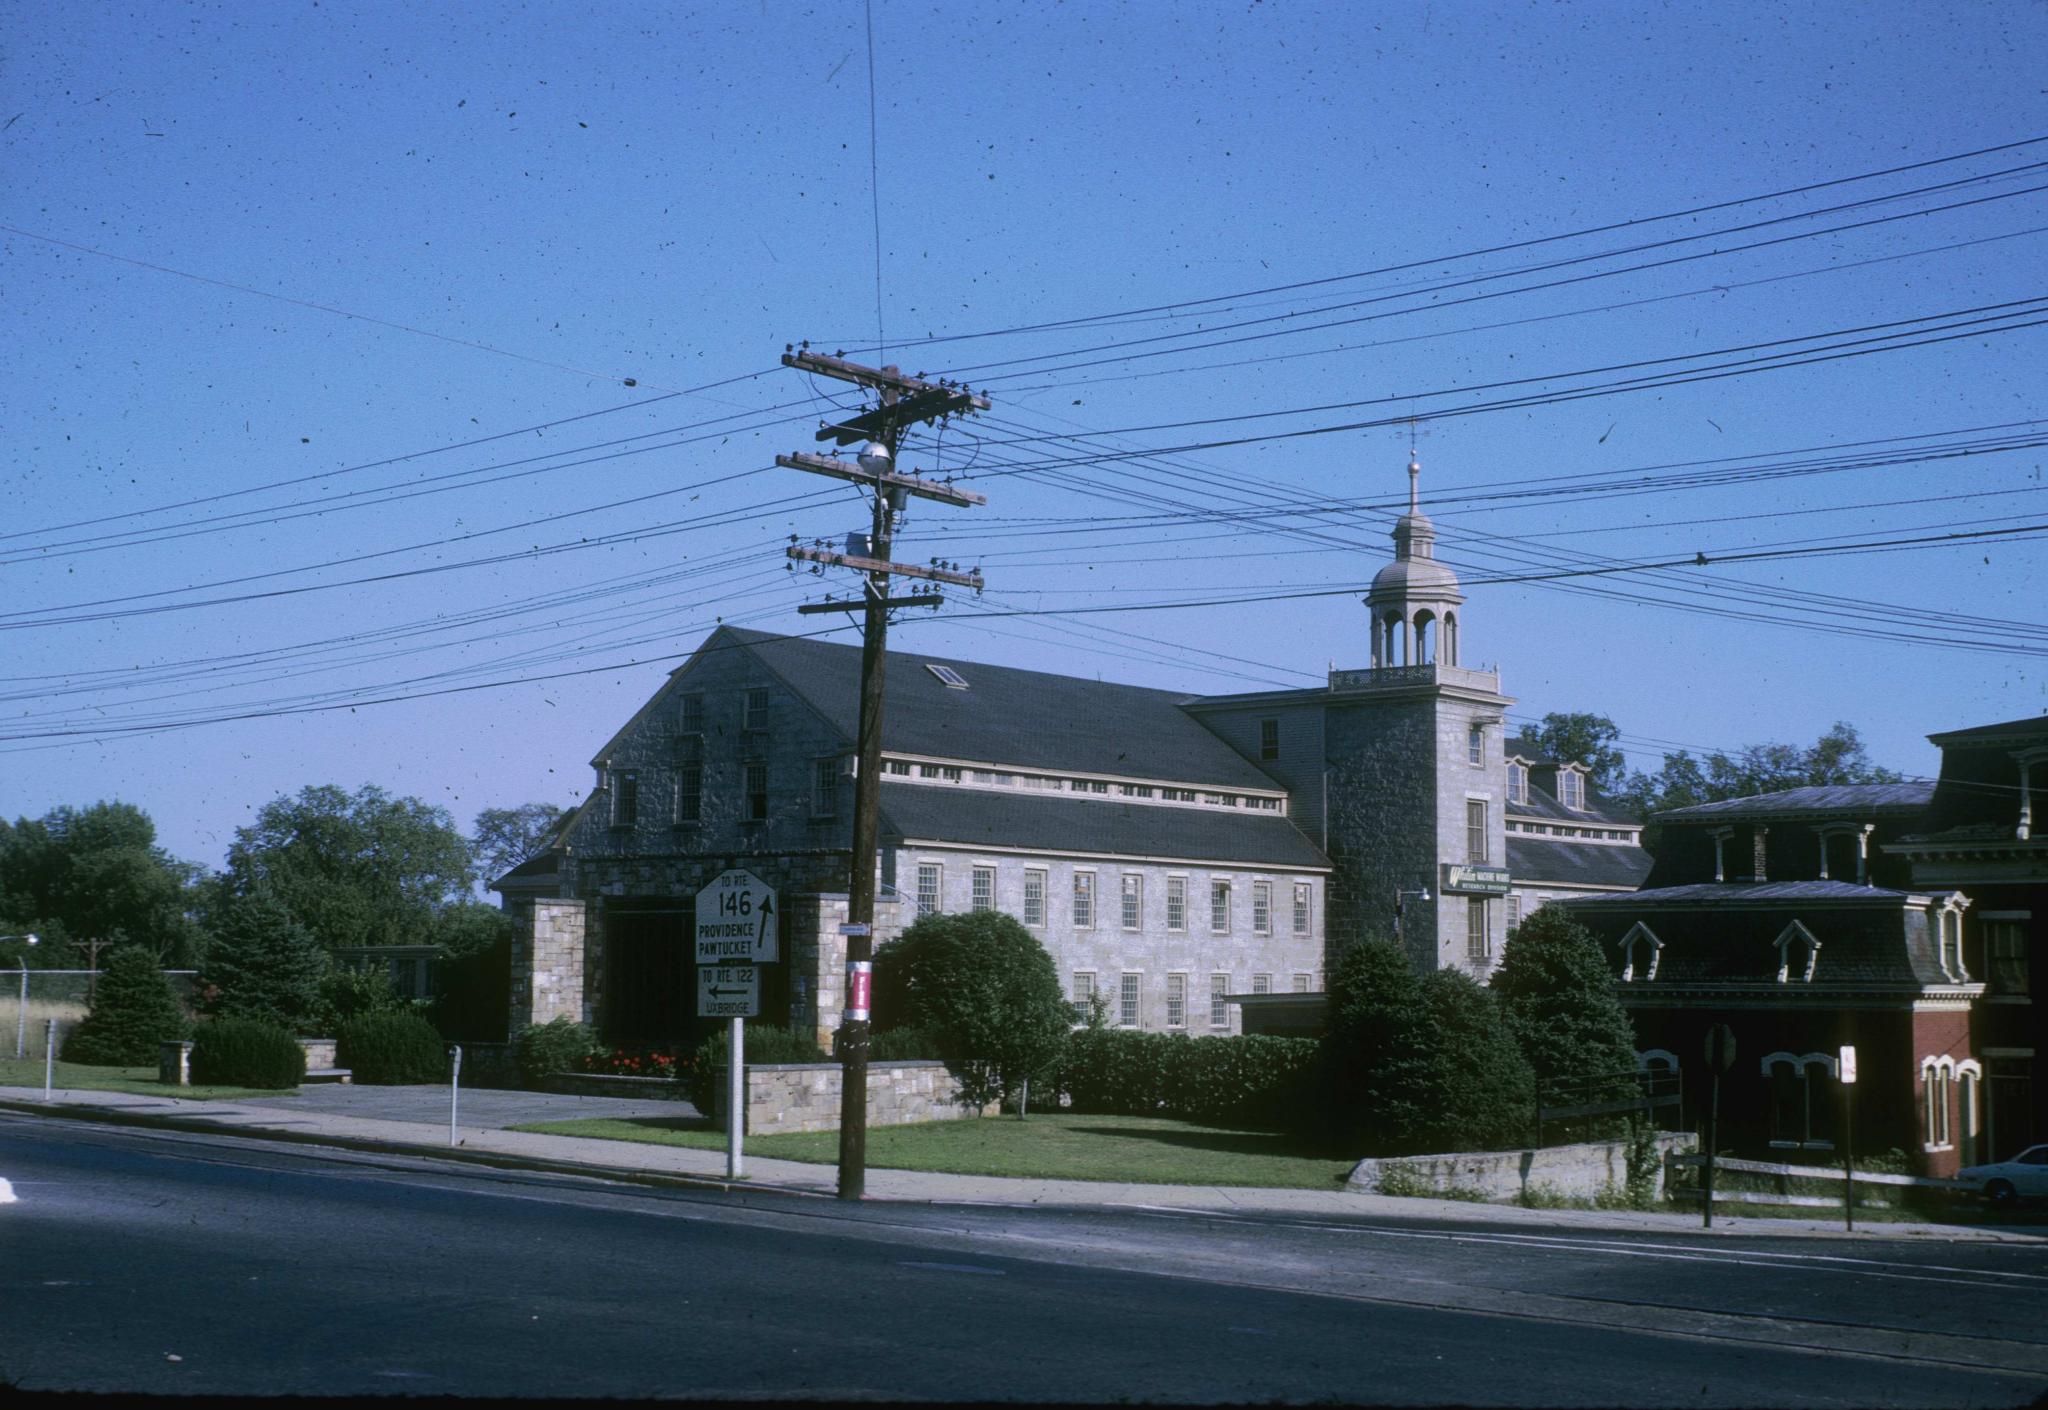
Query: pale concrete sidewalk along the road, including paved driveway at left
{"x": 421, "y": 1134}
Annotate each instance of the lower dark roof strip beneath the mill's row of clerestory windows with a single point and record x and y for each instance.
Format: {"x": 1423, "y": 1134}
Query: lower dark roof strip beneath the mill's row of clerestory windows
{"x": 1070, "y": 825}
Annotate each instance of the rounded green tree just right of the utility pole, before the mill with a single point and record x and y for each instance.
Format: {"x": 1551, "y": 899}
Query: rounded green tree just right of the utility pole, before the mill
{"x": 986, "y": 991}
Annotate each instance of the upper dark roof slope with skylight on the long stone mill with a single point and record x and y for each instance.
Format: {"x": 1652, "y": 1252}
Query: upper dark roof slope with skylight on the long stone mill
{"x": 1009, "y": 716}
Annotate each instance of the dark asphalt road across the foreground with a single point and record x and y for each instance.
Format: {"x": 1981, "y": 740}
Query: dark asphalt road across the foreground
{"x": 146, "y": 1261}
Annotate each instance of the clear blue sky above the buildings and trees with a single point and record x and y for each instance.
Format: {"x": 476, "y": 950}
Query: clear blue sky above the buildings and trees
{"x": 310, "y": 304}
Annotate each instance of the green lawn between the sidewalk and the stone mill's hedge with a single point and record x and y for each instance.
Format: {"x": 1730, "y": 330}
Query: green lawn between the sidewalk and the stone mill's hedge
{"x": 1052, "y": 1149}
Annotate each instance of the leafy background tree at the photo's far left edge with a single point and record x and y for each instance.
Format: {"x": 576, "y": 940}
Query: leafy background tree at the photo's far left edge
{"x": 97, "y": 876}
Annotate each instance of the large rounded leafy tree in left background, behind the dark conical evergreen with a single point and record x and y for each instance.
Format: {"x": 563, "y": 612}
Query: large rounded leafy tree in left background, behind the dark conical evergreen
{"x": 355, "y": 868}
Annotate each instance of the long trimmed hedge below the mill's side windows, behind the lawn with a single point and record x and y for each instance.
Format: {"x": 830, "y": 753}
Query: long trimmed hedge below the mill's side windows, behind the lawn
{"x": 1222, "y": 1081}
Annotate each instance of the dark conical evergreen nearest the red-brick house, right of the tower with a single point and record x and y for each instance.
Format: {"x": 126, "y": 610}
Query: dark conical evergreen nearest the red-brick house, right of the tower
{"x": 1560, "y": 999}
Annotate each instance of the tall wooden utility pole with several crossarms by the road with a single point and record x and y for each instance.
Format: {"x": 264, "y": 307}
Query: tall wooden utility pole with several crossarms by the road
{"x": 904, "y": 403}
